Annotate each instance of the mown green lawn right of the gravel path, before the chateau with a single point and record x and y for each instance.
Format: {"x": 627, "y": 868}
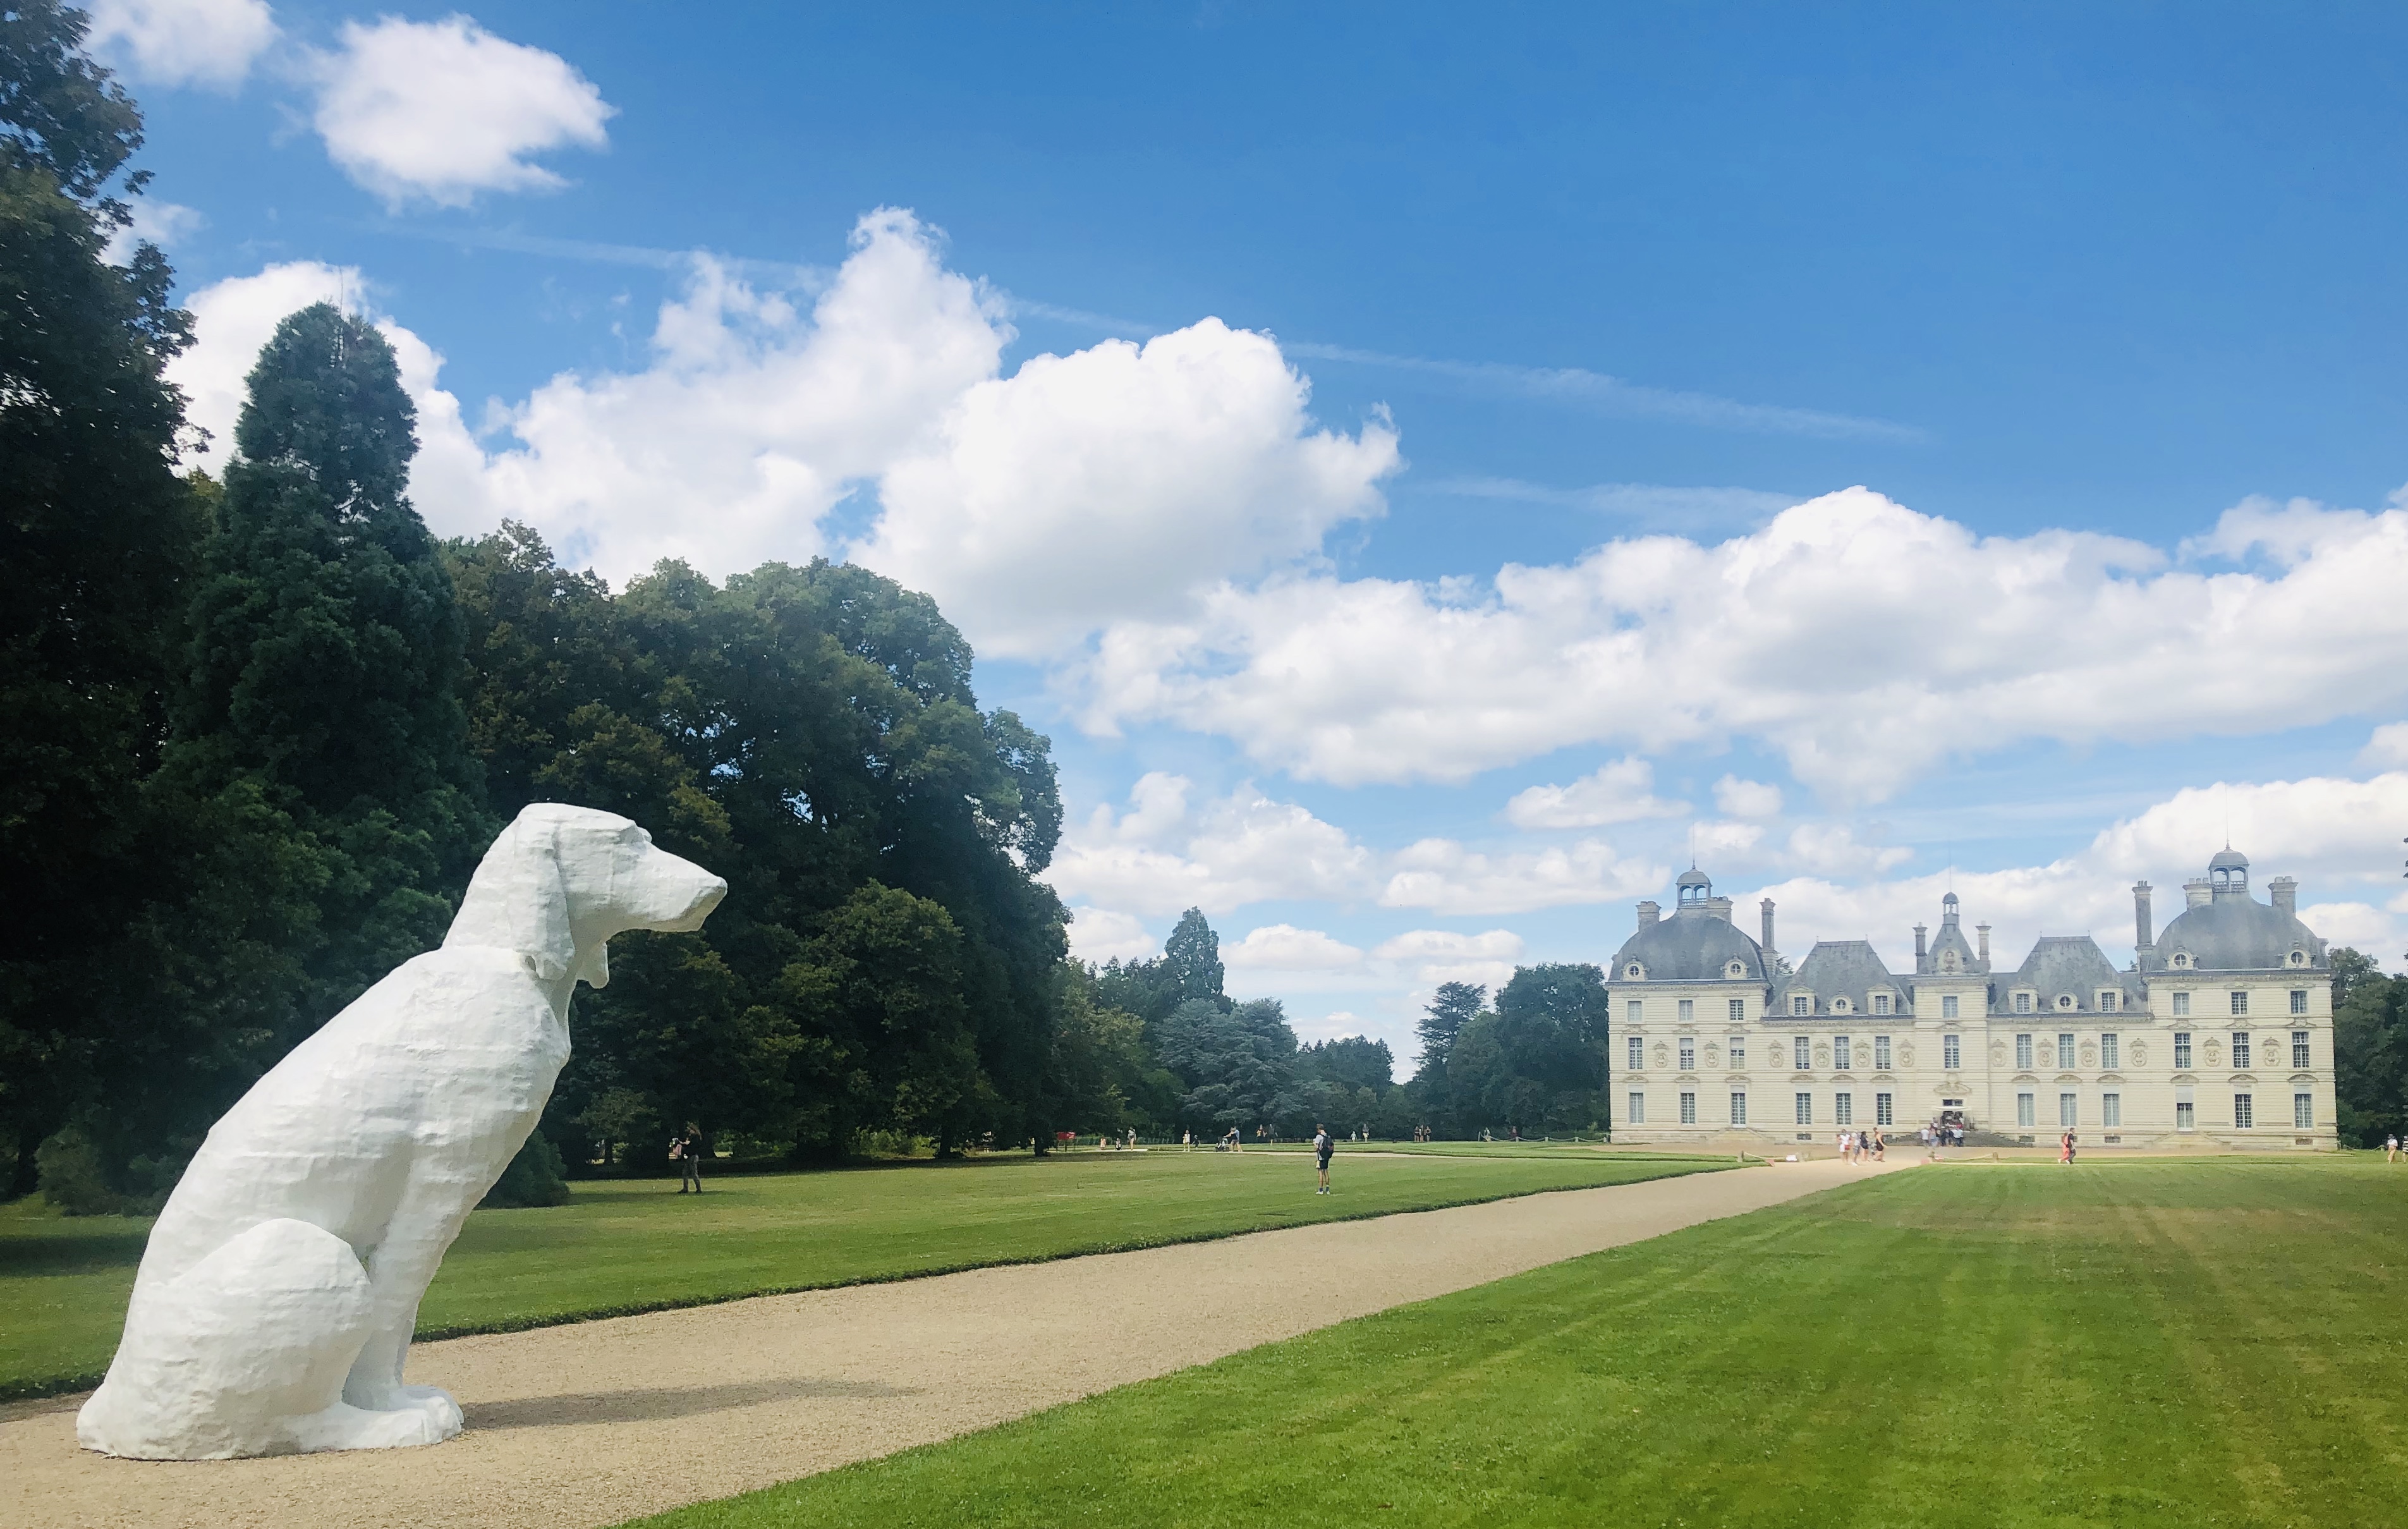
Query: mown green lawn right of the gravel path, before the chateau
{"x": 1964, "y": 1347}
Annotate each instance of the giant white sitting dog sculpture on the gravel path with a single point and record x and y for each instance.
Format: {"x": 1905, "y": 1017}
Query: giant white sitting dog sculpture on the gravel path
{"x": 283, "y": 1282}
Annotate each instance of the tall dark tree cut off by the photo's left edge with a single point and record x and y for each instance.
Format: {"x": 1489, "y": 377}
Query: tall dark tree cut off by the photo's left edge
{"x": 98, "y": 536}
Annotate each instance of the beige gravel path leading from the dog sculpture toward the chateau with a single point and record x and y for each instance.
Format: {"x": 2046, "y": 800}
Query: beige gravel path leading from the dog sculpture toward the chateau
{"x": 601, "y": 1422}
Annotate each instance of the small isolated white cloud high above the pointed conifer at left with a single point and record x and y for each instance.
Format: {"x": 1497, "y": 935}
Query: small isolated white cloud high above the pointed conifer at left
{"x": 444, "y": 110}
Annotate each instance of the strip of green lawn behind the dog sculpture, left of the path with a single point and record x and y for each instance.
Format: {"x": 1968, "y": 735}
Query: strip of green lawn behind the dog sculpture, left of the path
{"x": 639, "y": 1246}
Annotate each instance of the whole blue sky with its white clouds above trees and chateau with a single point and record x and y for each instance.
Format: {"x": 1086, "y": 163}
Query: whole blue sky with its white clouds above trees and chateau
{"x": 2099, "y": 305}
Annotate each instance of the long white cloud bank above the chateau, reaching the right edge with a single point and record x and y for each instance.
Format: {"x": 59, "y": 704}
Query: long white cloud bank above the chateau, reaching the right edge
{"x": 1855, "y": 637}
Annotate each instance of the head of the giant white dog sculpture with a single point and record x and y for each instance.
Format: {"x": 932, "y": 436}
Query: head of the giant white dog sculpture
{"x": 562, "y": 880}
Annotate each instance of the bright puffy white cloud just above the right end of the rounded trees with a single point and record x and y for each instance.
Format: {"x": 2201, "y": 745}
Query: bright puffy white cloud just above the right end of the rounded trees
{"x": 1111, "y": 483}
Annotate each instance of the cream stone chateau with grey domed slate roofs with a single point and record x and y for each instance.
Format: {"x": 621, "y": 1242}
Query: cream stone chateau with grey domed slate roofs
{"x": 2221, "y": 1034}
